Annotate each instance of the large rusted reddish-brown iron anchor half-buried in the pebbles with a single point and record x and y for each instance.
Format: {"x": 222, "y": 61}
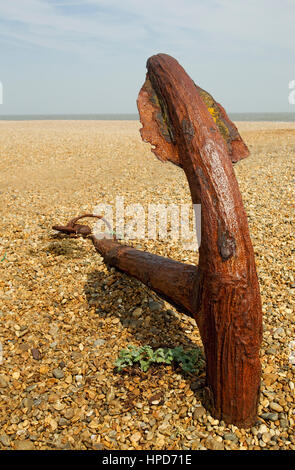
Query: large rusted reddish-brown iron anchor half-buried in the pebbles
{"x": 190, "y": 130}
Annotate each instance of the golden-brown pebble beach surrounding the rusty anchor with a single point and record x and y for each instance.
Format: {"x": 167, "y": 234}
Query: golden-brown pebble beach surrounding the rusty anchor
{"x": 65, "y": 315}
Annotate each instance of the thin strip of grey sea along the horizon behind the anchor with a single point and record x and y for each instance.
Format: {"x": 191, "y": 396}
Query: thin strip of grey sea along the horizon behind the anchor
{"x": 283, "y": 117}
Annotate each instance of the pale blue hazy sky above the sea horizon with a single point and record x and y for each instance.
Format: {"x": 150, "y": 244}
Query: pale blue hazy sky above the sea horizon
{"x": 89, "y": 56}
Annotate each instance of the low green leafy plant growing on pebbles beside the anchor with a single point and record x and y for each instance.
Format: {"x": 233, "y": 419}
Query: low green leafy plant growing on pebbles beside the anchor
{"x": 145, "y": 356}
